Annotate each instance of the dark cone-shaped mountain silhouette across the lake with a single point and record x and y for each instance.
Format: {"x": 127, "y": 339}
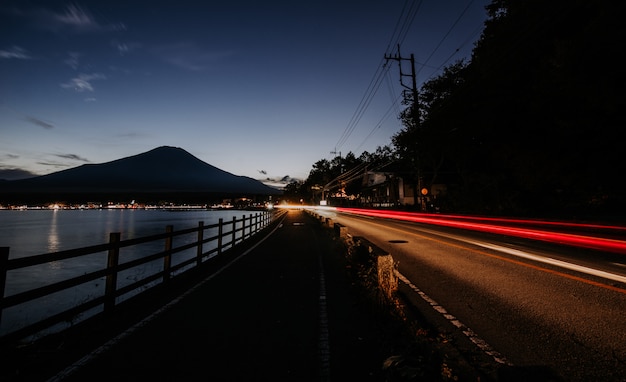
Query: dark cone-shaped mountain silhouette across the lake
{"x": 161, "y": 170}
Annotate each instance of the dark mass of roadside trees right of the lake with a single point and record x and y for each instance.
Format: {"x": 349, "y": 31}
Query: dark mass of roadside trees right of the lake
{"x": 529, "y": 125}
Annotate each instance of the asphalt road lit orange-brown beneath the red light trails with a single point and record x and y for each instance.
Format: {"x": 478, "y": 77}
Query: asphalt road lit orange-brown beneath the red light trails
{"x": 541, "y": 319}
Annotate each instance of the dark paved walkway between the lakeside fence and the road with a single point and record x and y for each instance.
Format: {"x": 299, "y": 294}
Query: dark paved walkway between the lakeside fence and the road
{"x": 282, "y": 312}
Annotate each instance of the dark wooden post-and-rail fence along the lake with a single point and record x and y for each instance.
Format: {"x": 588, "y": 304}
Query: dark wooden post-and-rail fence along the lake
{"x": 229, "y": 234}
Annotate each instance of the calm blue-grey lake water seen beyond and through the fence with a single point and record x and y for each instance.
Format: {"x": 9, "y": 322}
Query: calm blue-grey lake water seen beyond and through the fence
{"x": 34, "y": 232}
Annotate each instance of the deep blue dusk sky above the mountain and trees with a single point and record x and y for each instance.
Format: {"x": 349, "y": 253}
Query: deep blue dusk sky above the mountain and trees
{"x": 259, "y": 89}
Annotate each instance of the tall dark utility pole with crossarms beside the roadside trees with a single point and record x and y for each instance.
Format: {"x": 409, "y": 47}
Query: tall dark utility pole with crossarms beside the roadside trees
{"x": 418, "y": 197}
